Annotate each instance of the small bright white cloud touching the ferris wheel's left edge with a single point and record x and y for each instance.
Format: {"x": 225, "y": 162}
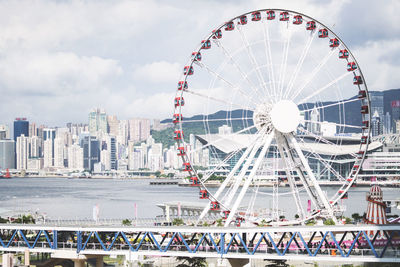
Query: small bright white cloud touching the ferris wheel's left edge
{"x": 158, "y": 72}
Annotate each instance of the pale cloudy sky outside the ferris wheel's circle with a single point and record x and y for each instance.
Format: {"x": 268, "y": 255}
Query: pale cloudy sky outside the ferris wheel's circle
{"x": 59, "y": 59}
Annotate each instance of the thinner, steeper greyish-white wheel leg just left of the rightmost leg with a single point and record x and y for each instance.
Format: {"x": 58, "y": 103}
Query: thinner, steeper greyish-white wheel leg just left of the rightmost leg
{"x": 280, "y": 143}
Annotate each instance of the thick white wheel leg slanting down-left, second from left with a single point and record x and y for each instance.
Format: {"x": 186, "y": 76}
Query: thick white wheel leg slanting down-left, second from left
{"x": 250, "y": 178}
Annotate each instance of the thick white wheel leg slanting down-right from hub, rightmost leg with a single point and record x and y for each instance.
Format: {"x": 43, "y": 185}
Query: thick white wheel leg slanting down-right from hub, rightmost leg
{"x": 321, "y": 195}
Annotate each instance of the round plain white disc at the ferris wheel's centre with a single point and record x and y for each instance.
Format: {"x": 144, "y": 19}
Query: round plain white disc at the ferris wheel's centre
{"x": 285, "y": 116}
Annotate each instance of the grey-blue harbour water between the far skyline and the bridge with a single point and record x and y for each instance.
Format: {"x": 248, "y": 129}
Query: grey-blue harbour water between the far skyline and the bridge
{"x": 62, "y": 198}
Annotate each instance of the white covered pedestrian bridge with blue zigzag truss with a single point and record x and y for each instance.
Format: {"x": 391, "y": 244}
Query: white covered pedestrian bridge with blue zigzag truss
{"x": 354, "y": 243}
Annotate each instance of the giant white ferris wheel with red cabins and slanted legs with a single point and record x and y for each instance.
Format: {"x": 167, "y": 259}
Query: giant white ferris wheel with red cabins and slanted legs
{"x": 277, "y": 92}
